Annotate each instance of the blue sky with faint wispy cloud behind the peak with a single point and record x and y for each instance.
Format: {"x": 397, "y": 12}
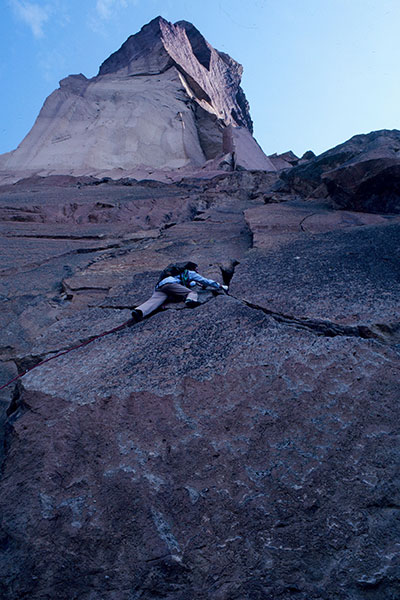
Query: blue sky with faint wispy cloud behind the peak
{"x": 316, "y": 72}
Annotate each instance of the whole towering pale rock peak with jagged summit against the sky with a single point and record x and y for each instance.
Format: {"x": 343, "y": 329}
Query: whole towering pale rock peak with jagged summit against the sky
{"x": 165, "y": 100}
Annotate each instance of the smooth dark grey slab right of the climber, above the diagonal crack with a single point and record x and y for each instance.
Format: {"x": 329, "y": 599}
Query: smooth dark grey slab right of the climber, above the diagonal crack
{"x": 347, "y": 277}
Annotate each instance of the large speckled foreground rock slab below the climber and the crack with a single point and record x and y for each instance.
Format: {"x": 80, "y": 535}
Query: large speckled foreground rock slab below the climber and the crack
{"x": 209, "y": 454}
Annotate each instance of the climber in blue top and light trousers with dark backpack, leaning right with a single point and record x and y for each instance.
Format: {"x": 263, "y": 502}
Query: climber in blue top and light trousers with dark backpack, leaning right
{"x": 176, "y": 282}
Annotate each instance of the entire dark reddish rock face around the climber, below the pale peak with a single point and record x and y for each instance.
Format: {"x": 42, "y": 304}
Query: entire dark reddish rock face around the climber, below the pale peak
{"x": 244, "y": 450}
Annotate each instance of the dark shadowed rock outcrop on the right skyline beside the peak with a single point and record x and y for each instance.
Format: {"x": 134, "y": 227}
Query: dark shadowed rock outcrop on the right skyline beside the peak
{"x": 362, "y": 174}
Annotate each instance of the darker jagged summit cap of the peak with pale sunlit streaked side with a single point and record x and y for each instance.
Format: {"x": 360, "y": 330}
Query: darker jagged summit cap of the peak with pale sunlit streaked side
{"x": 214, "y": 77}
